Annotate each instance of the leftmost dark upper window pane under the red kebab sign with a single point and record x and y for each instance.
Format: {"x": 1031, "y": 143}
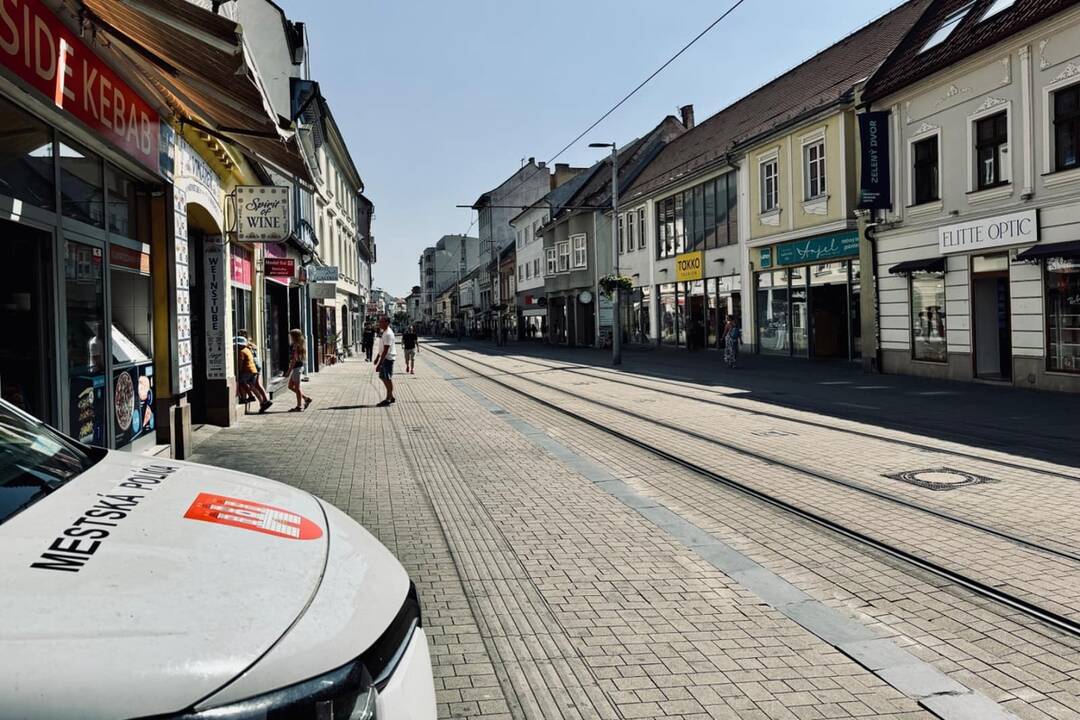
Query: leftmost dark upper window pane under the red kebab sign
{"x": 26, "y": 158}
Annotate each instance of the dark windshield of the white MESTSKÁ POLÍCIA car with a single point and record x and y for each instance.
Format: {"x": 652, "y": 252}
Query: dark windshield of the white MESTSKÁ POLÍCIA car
{"x": 35, "y": 460}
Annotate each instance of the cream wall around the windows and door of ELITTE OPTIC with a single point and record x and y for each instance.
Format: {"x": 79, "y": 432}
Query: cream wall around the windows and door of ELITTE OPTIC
{"x": 1019, "y": 78}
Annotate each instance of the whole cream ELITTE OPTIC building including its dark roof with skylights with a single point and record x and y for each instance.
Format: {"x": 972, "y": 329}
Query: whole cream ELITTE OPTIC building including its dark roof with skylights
{"x": 979, "y": 260}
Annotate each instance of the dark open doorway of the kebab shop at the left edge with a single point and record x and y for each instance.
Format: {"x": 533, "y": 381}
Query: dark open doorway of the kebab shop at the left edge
{"x": 26, "y": 358}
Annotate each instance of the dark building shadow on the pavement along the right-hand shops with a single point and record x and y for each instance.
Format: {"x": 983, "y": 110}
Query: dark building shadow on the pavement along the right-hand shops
{"x": 1023, "y": 423}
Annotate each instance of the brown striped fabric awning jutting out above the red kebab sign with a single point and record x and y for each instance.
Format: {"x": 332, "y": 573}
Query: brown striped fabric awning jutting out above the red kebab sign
{"x": 199, "y": 61}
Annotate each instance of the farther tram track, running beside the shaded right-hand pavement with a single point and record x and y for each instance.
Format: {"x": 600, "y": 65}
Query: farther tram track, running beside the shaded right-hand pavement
{"x": 618, "y": 378}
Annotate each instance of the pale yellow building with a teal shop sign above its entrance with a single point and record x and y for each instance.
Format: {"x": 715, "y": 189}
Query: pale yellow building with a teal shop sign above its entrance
{"x": 805, "y": 246}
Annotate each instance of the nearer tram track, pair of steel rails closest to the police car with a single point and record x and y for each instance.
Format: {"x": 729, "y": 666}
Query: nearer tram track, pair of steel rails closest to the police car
{"x": 1059, "y": 621}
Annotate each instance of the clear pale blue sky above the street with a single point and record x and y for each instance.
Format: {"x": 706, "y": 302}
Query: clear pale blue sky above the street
{"x": 440, "y": 101}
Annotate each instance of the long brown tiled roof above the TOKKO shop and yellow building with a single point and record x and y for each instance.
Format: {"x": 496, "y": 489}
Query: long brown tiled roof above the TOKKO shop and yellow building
{"x": 826, "y": 78}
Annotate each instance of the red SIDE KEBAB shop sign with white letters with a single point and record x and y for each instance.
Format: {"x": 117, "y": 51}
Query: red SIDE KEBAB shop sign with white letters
{"x": 53, "y": 60}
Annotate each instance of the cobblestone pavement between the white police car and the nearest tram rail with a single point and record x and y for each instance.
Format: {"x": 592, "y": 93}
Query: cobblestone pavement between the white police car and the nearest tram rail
{"x": 547, "y": 597}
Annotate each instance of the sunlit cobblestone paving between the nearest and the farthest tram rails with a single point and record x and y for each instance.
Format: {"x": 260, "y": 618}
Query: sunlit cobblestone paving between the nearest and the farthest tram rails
{"x": 1032, "y": 505}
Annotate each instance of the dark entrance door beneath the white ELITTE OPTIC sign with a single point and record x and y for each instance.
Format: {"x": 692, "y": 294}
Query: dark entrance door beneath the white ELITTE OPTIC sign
{"x": 991, "y": 307}
